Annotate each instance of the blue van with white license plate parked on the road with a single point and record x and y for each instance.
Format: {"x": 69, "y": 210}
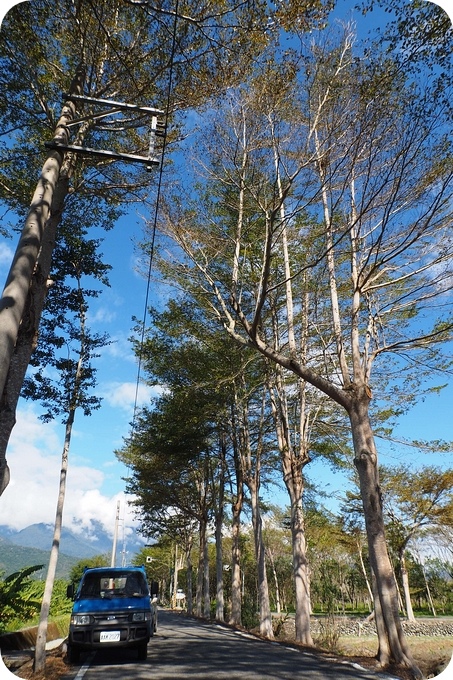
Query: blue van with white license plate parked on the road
{"x": 113, "y": 607}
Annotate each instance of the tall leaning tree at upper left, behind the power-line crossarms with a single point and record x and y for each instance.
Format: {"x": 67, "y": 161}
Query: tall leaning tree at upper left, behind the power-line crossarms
{"x": 124, "y": 51}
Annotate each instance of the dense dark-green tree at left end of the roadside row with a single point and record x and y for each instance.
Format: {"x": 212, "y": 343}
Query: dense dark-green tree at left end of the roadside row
{"x": 189, "y": 488}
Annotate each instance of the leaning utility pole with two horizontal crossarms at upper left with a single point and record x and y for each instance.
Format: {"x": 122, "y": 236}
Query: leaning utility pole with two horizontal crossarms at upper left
{"x": 35, "y": 249}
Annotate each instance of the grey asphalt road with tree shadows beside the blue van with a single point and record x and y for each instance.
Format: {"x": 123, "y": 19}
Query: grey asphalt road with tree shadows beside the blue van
{"x": 186, "y": 648}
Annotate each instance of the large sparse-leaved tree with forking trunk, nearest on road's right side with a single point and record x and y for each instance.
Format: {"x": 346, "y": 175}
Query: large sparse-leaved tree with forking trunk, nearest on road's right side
{"x": 368, "y": 161}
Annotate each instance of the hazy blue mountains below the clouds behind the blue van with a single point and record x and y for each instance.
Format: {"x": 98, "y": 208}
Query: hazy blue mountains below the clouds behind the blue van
{"x": 32, "y": 546}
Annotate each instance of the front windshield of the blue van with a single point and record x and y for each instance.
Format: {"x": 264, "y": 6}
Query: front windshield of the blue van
{"x": 113, "y": 584}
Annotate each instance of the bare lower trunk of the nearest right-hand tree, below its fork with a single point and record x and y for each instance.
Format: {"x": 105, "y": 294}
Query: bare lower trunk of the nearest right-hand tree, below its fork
{"x": 394, "y": 646}
